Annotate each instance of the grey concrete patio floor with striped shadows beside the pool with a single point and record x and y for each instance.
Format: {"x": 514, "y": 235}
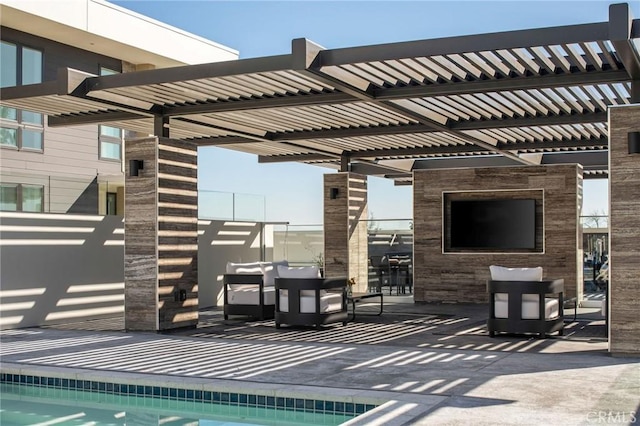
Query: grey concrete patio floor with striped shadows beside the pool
{"x": 423, "y": 364}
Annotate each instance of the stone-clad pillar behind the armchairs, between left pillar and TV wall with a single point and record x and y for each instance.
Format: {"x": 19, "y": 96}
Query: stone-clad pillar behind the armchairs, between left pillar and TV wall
{"x": 345, "y": 233}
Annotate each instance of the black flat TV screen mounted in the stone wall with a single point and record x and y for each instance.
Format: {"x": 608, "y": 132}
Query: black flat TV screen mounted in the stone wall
{"x": 503, "y": 224}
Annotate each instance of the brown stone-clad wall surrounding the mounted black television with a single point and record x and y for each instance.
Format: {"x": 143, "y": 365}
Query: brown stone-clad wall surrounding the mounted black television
{"x": 461, "y": 277}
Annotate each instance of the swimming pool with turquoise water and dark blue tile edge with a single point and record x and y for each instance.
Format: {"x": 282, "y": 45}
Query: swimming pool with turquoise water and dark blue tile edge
{"x": 34, "y": 399}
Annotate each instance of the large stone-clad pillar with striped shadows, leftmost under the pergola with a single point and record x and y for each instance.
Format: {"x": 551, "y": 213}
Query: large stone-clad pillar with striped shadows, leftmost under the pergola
{"x": 161, "y": 235}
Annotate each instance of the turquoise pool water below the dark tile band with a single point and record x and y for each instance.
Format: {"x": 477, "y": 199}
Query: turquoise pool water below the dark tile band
{"x": 34, "y": 405}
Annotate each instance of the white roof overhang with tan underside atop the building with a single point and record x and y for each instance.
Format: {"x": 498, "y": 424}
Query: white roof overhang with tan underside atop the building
{"x": 111, "y": 30}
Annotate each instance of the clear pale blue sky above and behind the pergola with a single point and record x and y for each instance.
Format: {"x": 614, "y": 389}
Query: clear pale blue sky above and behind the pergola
{"x": 293, "y": 192}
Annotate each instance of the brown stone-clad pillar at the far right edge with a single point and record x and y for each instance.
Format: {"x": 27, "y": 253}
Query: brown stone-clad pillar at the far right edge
{"x": 624, "y": 231}
